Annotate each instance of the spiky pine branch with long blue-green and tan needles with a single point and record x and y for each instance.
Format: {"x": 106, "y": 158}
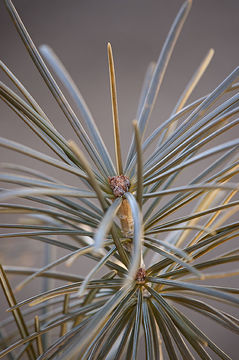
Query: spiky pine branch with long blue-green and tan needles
{"x": 152, "y": 261}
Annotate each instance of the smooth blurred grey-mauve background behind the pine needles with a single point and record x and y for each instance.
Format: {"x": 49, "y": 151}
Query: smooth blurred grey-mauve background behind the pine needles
{"x": 79, "y": 31}
